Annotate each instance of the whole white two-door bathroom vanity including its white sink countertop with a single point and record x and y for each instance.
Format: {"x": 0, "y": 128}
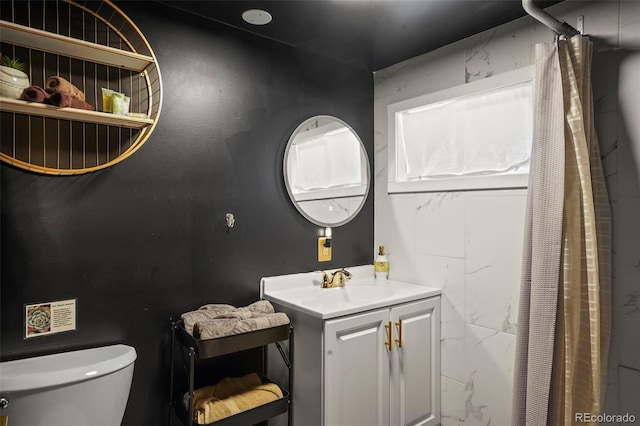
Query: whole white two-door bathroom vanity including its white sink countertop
{"x": 366, "y": 354}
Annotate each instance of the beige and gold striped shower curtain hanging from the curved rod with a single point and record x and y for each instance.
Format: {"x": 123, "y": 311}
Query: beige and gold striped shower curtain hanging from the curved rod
{"x": 565, "y": 315}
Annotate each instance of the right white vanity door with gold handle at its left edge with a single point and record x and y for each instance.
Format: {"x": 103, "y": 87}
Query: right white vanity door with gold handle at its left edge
{"x": 415, "y": 365}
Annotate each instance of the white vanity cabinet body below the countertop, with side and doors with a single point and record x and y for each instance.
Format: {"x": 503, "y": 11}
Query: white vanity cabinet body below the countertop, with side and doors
{"x": 358, "y": 370}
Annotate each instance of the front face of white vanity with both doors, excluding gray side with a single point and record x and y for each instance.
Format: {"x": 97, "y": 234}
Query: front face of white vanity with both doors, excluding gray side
{"x": 382, "y": 367}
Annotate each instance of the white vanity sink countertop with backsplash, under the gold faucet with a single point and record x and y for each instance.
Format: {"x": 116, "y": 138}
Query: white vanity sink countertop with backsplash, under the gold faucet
{"x": 361, "y": 293}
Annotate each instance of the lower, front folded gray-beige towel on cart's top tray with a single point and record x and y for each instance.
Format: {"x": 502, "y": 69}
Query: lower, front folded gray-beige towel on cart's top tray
{"x": 221, "y": 327}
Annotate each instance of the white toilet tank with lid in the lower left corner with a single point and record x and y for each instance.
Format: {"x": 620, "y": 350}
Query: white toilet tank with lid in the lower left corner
{"x": 81, "y": 388}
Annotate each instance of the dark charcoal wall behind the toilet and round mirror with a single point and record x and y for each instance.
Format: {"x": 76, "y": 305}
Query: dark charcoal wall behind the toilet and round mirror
{"x": 146, "y": 239}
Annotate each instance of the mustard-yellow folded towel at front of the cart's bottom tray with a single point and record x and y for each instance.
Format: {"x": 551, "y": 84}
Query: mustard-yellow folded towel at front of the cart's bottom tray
{"x": 217, "y": 409}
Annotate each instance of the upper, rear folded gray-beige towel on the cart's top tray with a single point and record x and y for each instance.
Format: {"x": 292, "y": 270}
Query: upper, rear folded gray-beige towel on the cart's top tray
{"x": 221, "y": 311}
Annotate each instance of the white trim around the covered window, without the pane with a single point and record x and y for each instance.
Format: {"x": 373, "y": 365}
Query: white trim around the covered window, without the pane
{"x": 513, "y": 180}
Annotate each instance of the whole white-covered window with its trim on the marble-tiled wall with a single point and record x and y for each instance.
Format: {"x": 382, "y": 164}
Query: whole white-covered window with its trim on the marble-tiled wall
{"x": 469, "y": 137}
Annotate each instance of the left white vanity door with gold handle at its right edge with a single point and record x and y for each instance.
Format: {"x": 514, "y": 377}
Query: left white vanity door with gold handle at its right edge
{"x": 356, "y": 370}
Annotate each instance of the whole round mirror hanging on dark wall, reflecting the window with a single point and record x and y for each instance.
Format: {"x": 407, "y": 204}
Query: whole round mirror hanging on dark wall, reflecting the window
{"x": 326, "y": 171}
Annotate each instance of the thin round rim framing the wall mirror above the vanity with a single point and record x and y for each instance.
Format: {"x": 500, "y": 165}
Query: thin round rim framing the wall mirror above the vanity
{"x": 286, "y": 174}
